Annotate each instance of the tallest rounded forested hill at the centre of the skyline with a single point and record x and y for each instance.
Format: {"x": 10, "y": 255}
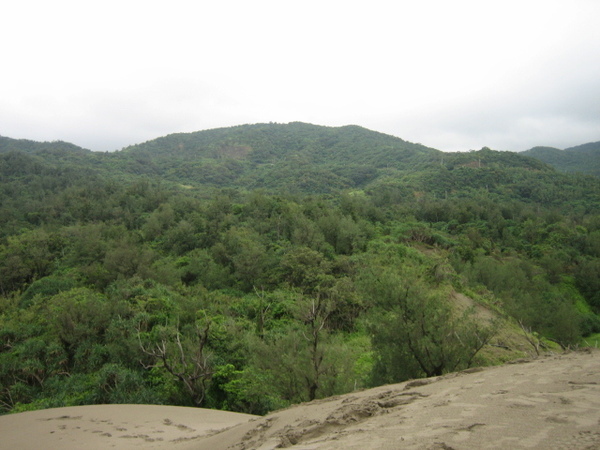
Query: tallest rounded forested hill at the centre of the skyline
{"x": 297, "y": 156}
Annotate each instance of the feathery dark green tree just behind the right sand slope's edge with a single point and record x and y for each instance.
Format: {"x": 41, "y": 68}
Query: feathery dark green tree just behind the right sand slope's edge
{"x": 415, "y": 330}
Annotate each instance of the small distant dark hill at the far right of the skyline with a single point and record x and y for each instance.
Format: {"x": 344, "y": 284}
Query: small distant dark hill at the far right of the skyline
{"x": 582, "y": 158}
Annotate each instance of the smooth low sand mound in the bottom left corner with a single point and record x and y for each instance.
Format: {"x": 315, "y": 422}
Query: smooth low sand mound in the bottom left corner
{"x": 112, "y": 426}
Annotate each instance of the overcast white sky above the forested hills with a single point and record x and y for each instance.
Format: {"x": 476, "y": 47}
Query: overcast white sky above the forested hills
{"x": 453, "y": 75}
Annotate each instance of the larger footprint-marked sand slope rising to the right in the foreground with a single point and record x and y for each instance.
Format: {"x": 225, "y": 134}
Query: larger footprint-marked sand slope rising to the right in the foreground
{"x": 548, "y": 403}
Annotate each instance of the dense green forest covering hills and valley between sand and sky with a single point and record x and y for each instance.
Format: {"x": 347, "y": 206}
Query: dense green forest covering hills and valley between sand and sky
{"x": 251, "y": 267}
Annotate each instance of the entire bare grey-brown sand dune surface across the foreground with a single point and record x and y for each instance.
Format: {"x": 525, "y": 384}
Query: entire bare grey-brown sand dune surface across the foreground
{"x": 548, "y": 403}
